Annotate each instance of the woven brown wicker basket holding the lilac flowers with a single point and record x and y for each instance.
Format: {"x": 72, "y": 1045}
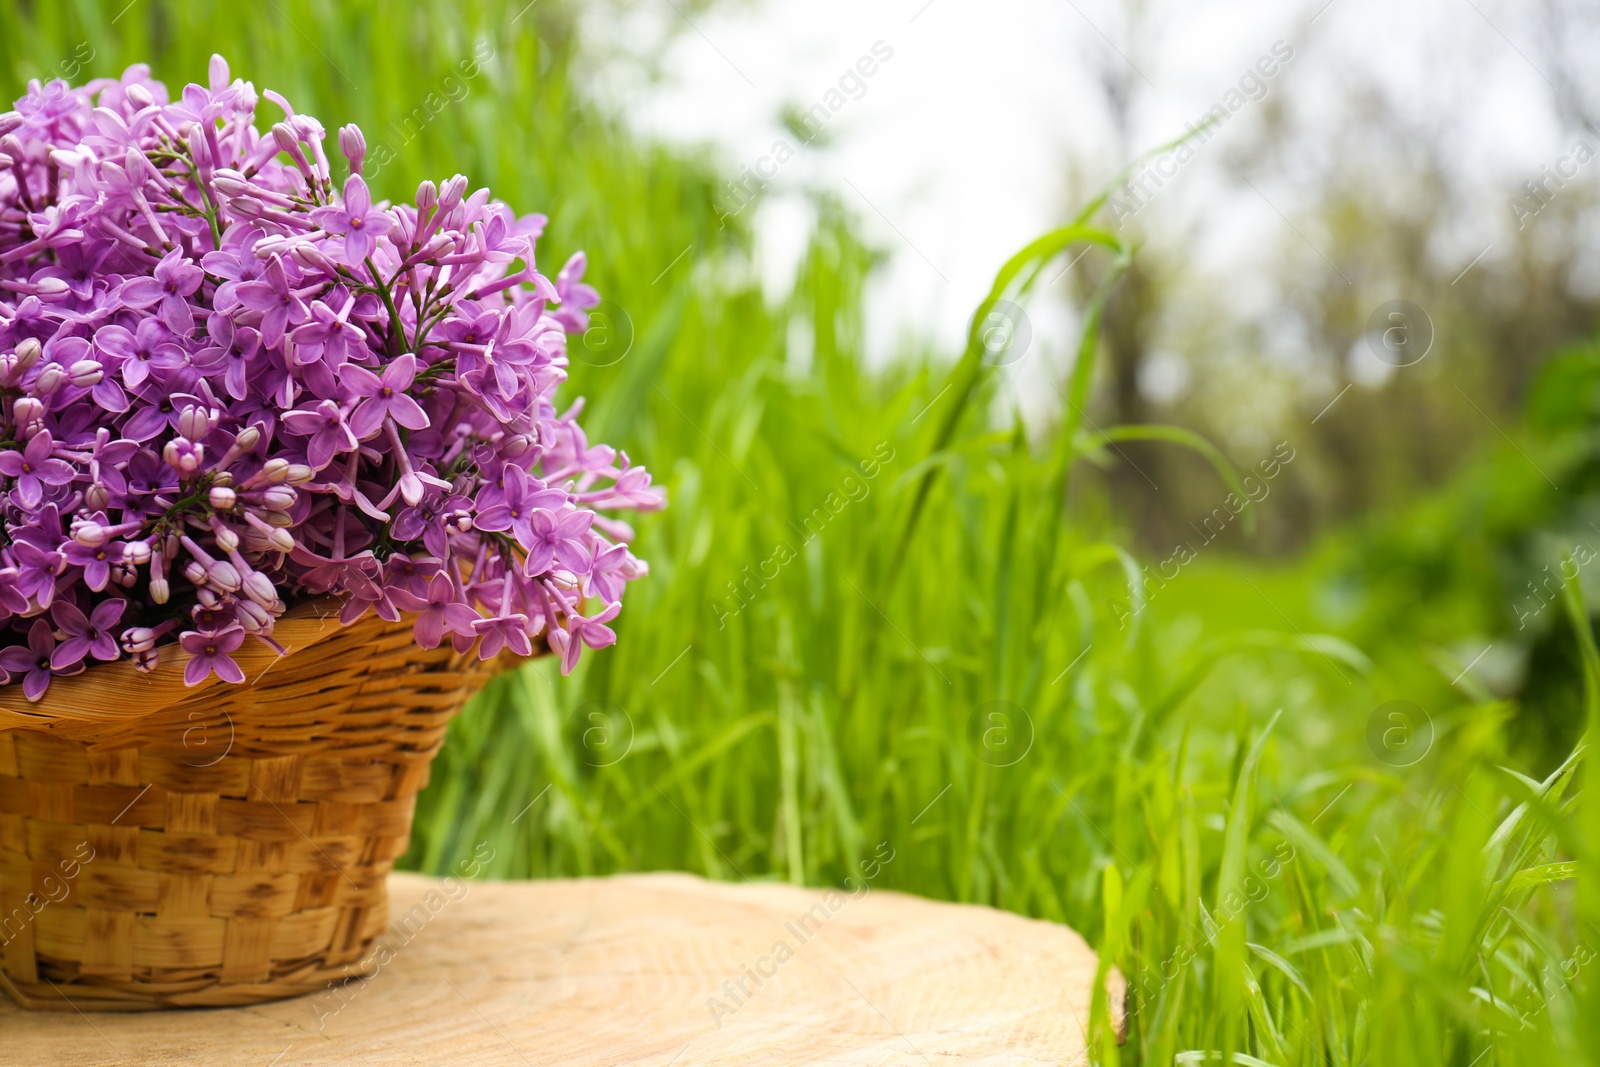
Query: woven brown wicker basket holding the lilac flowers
{"x": 167, "y": 847}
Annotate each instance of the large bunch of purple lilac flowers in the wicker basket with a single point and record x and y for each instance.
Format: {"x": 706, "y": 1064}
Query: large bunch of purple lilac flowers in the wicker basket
{"x": 228, "y": 386}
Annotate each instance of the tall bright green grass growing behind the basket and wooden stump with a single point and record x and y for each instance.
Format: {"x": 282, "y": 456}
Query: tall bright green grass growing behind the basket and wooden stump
{"x": 935, "y": 663}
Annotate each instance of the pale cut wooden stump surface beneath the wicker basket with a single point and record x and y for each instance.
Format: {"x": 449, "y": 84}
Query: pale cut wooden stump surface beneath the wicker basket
{"x": 649, "y": 970}
